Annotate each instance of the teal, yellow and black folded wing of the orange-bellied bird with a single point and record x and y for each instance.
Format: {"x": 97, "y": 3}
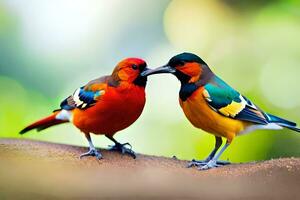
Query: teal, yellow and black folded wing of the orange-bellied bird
{"x": 230, "y": 103}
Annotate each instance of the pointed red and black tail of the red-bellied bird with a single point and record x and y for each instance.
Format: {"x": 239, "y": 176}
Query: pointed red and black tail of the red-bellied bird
{"x": 44, "y": 123}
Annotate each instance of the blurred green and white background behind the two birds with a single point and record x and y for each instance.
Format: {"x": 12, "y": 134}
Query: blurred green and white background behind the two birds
{"x": 49, "y": 48}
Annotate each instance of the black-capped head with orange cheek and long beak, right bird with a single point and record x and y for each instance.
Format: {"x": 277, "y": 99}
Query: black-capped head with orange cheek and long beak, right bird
{"x": 187, "y": 67}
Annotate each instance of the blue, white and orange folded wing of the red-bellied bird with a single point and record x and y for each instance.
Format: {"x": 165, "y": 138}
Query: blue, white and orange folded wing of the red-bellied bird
{"x": 86, "y": 96}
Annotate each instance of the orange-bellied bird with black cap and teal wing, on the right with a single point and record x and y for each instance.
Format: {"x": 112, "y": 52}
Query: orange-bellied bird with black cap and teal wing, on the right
{"x": 212, "y": 105}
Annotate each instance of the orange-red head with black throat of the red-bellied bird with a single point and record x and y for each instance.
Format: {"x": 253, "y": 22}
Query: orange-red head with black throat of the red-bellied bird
{"x": 129, "y": 70}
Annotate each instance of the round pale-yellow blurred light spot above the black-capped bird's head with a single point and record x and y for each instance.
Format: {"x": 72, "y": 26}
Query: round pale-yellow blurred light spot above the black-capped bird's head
{"x": 195, "y": 25}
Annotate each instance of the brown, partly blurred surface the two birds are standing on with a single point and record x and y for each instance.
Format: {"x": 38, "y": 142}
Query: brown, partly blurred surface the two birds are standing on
{"x": 31, "y": 169}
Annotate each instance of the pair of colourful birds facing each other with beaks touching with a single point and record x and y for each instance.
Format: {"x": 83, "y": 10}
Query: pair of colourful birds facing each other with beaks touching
{"x": 112, "y": 103}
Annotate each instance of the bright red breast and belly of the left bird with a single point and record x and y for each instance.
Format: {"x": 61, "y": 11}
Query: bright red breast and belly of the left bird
{"x": 117, "y": 109}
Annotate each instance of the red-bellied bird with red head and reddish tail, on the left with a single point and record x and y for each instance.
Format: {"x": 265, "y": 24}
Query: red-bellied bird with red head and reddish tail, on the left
{"x": 103, "y": 106}
